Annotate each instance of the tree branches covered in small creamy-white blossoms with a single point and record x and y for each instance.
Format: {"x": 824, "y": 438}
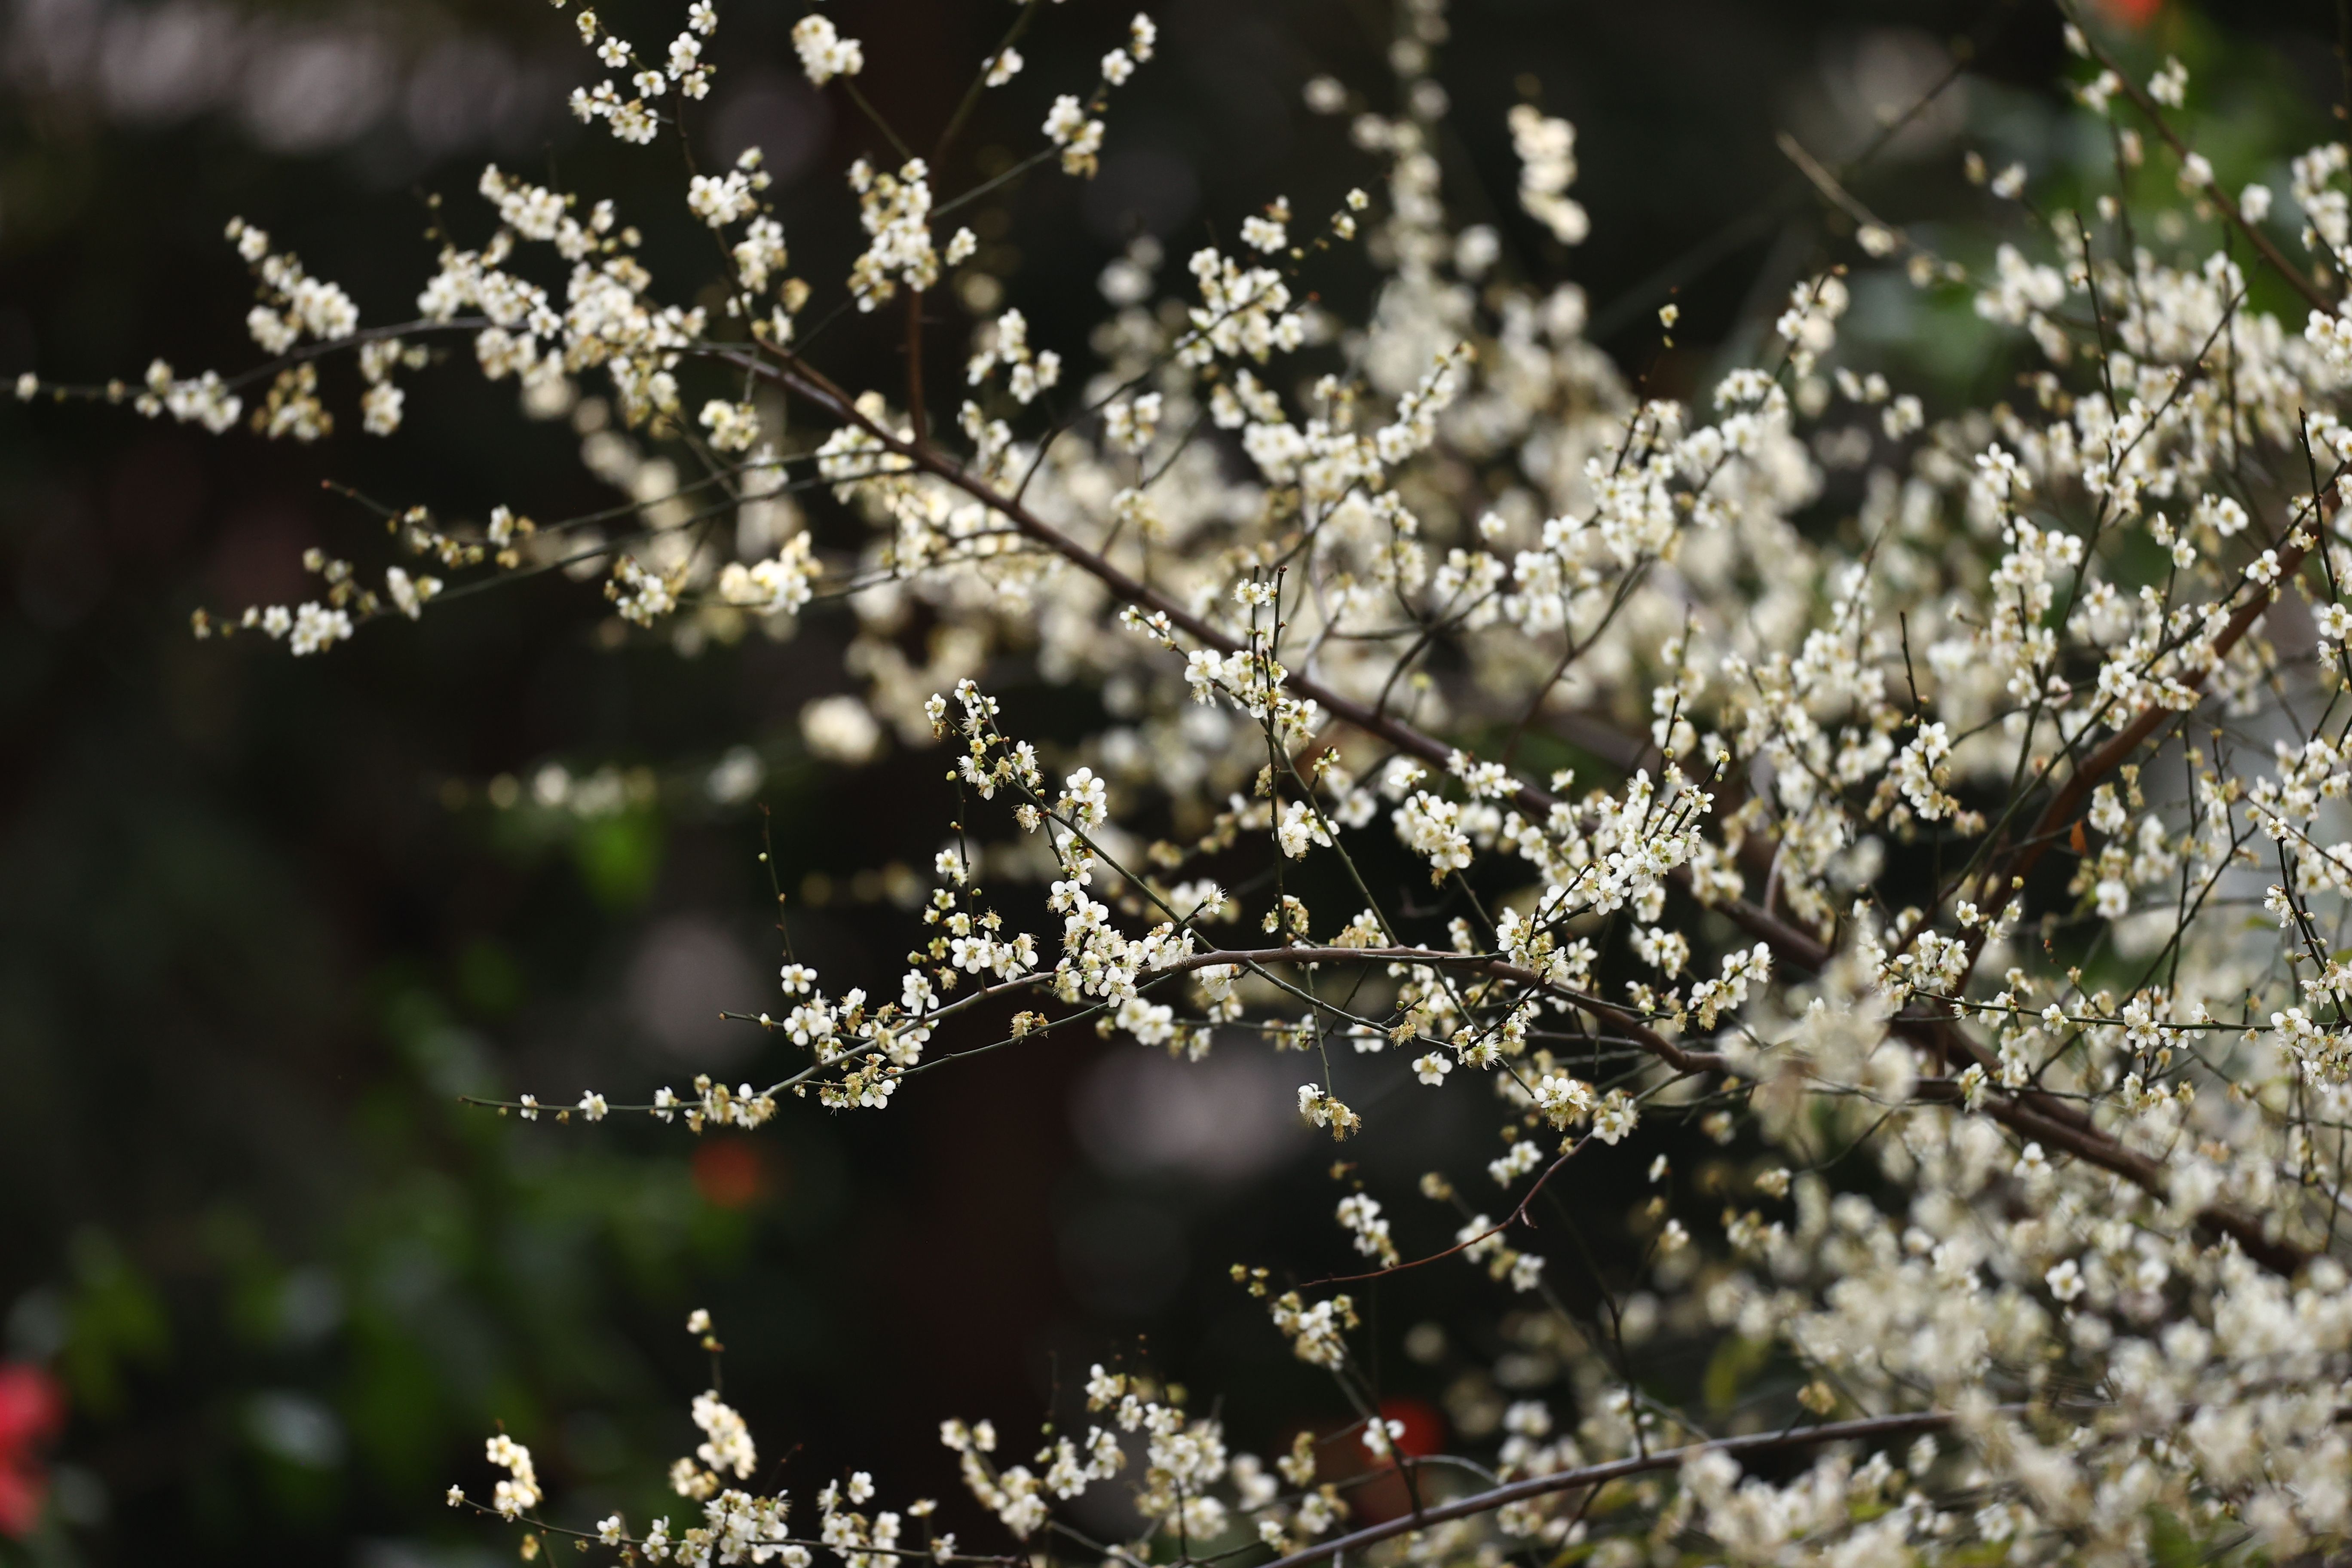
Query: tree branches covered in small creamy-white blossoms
{"x": 1967, "y": 873}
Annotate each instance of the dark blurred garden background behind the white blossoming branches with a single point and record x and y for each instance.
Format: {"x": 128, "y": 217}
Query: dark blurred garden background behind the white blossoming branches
{"x": 260, "y": 927}
